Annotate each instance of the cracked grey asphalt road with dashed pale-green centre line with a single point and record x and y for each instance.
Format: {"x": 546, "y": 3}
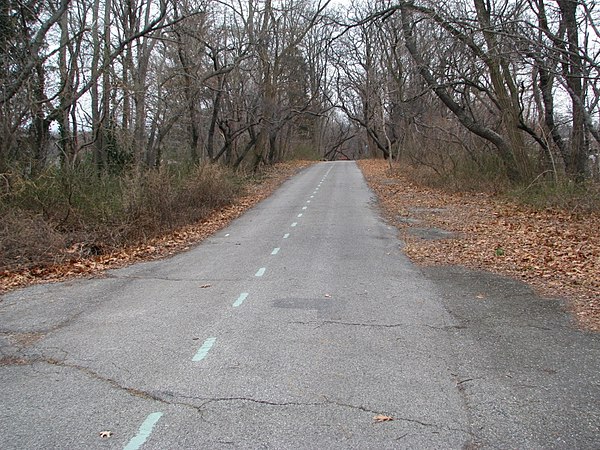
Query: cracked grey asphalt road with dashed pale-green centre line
{"x": 301, "y": 325}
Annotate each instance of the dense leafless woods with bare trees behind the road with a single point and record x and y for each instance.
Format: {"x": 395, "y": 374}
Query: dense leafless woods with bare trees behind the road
{"x": 102, "y": 102}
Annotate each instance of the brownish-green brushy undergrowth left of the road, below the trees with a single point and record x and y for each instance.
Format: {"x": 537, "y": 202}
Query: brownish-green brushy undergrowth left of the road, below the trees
{"x": 42, "y": 218}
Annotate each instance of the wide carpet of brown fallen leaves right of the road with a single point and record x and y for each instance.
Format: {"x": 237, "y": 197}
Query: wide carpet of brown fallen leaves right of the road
{"x": 557, "y": 252}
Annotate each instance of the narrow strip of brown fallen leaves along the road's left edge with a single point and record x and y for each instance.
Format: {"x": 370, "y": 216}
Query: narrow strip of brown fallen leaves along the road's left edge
{"x": 159, "y": 247}
